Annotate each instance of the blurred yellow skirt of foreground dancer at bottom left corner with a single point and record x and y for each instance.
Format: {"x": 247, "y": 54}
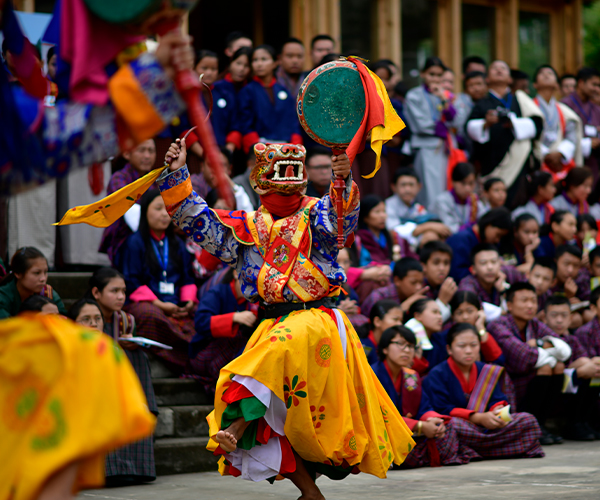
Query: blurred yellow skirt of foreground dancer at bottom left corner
{"x": 67, "y": 394}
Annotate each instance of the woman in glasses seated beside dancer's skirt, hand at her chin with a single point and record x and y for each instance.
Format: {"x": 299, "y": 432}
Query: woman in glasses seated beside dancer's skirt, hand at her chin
{"x": 437, "y": 443}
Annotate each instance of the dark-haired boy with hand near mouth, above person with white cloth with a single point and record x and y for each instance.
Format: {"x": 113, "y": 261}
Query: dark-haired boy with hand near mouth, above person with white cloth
{"x": 436, "y": 257}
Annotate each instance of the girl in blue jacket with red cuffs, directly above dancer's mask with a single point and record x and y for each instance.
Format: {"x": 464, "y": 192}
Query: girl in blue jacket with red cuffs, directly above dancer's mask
{"x": 266, "y": 110}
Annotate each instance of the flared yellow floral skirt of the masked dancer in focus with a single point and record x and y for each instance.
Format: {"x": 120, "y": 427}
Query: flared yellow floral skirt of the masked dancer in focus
{"x": 337, "y": 409}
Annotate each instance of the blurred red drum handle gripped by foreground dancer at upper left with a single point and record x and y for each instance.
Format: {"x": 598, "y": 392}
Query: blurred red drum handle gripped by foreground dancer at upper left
{"x": 189, "y": 87}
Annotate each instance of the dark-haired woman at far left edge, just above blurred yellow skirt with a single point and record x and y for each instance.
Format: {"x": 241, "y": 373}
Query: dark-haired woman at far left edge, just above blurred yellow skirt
{"x": 27, "y": 277}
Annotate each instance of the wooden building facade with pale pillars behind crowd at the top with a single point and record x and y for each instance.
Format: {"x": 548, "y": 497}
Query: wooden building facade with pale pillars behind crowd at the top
{"x": 524, "y": 33}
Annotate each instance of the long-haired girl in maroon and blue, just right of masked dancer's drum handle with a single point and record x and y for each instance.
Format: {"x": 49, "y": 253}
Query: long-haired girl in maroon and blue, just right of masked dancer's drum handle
{"x": 376, "y": 241}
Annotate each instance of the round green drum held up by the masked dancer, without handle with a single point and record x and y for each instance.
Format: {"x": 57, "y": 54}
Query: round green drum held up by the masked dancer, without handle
{"x": 331, "y": 104}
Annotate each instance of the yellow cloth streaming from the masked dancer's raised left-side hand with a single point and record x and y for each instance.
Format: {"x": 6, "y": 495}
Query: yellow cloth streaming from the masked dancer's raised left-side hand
{"x": 111, "y": 208}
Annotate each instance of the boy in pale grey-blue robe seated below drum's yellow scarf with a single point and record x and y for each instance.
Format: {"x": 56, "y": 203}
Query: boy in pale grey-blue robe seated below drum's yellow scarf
{"x": 407, "y": 217}
